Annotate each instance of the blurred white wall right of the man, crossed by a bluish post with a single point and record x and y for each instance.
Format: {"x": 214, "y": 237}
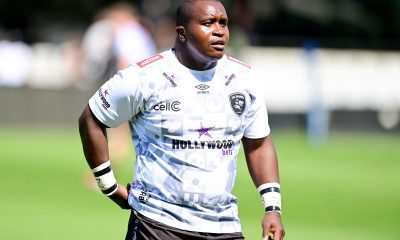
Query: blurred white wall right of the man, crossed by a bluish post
{"x": 339, "y": 79}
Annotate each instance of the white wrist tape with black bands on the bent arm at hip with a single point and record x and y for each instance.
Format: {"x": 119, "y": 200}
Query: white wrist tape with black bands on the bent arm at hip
{"x": 105, "y": 178}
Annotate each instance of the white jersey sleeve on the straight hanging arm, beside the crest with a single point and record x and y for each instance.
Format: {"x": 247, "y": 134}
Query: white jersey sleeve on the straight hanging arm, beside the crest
{"x": 257, "y": 116}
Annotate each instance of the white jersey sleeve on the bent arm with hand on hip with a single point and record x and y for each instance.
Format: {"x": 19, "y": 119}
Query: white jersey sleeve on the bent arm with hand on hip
{"x": 119, "y": 99}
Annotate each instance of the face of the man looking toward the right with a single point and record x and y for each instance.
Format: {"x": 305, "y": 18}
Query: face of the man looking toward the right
{"x": 207, "y": 31}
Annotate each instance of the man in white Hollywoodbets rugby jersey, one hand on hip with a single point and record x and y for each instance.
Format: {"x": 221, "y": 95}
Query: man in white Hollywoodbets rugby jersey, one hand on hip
{"x": 189, "y": 108}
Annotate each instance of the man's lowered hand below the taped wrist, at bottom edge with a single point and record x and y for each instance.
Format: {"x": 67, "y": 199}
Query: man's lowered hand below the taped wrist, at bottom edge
{"x": 272, "y": 225}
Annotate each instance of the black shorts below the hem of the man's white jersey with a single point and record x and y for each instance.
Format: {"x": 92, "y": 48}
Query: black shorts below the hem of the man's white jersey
{"x": 144, "y": 228}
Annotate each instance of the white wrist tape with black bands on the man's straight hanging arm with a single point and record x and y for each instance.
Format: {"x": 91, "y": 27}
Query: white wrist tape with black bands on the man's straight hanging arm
{"x": 271, "y": 196}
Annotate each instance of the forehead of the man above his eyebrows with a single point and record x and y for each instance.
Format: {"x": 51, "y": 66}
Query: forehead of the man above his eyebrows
{"x": 203, "y": 9}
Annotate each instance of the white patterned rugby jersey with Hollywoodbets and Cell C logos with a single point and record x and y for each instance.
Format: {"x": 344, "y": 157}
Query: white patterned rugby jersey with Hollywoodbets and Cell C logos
{"x": 186, "y": 126}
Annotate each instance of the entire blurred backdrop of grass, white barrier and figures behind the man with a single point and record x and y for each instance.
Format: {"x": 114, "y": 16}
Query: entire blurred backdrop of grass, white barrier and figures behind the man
{"x": 330, "y": 70}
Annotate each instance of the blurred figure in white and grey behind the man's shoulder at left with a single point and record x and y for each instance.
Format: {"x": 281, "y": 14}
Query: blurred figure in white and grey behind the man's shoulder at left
{"x": 114, "y": 40}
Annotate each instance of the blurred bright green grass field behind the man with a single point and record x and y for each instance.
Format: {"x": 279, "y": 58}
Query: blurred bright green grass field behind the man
{"x": 347, "y": 189}
